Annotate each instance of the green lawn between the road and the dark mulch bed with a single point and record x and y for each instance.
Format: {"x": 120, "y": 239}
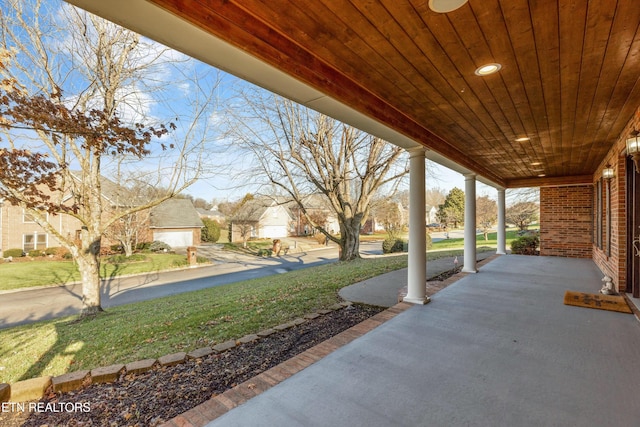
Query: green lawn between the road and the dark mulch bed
{"x": 181, "y": 322}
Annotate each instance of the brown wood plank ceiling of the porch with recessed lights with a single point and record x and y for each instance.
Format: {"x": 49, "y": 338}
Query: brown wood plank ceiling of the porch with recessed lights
{"x": 568, "y": 82}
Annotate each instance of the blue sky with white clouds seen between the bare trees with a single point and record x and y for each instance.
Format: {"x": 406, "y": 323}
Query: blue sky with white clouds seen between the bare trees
{"x": 170, "y": 95}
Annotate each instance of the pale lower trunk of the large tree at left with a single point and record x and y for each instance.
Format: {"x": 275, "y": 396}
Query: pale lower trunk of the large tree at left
{"x": 89, "y": 266}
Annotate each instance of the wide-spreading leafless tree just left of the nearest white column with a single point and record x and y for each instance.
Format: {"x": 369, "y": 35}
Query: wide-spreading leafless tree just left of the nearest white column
{"x": 302, "y": 152}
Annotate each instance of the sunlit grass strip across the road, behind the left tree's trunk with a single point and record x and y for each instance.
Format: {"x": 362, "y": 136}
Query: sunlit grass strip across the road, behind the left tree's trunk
{"x": 24, "y": 274}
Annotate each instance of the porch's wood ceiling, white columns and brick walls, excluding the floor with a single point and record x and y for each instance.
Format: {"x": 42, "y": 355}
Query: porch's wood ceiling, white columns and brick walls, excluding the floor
{"x": 509, "y": 93}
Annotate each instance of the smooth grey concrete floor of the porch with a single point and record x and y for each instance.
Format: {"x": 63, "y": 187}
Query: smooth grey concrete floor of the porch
{"x": 496, "y": 348}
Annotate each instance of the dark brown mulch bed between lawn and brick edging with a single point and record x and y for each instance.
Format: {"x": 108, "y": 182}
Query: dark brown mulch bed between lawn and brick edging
{"x": 156, "y": 396}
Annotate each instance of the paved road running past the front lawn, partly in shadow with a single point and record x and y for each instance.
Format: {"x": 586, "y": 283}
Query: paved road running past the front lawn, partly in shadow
{"x": 28, "y": 306}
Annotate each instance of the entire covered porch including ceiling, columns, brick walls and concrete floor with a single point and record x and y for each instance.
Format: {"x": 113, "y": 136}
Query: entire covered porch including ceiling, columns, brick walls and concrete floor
{"x": 557, "y": 112}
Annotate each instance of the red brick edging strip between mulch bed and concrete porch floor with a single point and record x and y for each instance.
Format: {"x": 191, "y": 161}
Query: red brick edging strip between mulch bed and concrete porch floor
{"x": 221, "y": 404}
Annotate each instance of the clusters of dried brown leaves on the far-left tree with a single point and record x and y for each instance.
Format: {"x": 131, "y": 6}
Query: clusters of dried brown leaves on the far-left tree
{"x": 26, "y": 176}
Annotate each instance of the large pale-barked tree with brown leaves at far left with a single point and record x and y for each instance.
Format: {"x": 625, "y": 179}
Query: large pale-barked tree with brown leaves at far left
{"x": 81, "y": 86}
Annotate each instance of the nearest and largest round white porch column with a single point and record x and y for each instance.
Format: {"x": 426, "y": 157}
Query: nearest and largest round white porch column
{"x": 417, "y": 269}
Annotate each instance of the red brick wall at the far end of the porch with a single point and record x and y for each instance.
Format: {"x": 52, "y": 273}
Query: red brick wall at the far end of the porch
{"x": 566, "y": 222}
